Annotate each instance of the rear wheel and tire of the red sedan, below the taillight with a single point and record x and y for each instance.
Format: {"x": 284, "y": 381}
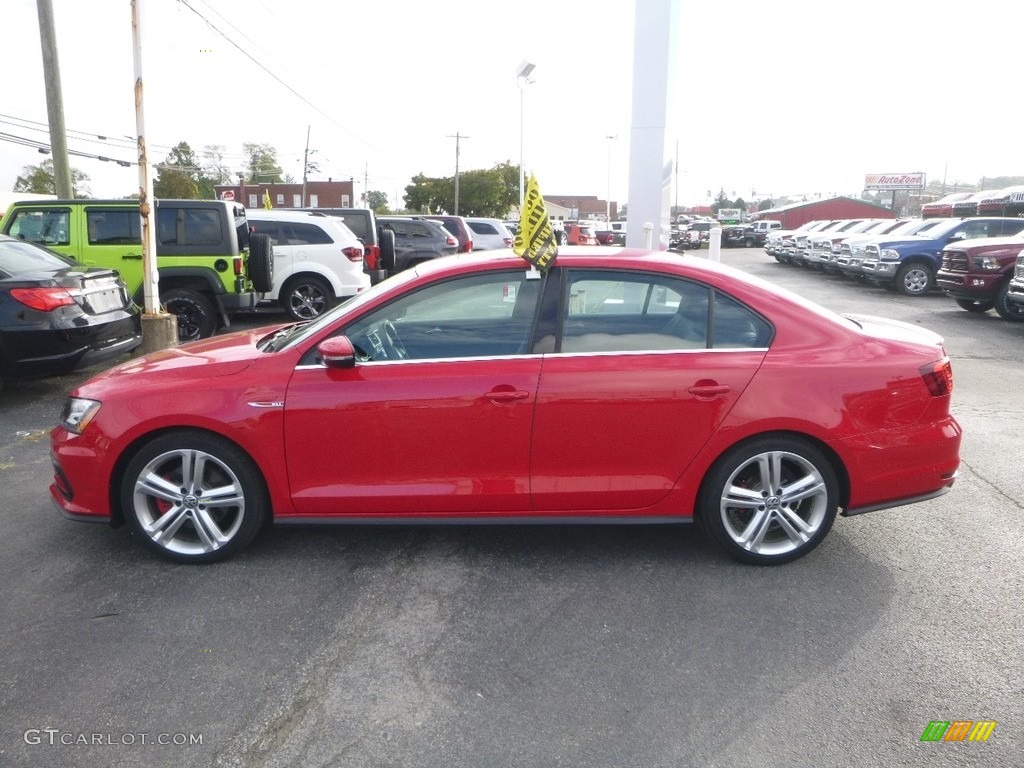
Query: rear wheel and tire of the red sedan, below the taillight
{"x": 789, "y": 522}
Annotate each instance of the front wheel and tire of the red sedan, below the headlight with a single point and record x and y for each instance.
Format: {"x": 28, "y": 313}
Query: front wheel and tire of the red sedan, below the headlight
{"x": 174, "y": 511}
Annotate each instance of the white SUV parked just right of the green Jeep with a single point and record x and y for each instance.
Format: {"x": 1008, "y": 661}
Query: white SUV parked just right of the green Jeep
{"x": 318, "y": 262}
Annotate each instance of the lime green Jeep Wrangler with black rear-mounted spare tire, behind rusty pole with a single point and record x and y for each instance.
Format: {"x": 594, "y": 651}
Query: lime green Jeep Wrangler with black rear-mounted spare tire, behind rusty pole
{"x": 209, "y": 264}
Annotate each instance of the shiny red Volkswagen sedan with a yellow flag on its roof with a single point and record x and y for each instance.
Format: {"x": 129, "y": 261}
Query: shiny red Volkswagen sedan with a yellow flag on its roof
{"x": 613, "y": 389}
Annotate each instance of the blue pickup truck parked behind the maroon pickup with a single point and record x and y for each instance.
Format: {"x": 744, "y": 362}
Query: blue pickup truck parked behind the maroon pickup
{"x": 910, "y": 264}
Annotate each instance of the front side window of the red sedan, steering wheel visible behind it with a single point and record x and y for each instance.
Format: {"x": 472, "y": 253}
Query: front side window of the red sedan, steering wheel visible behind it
{"x": 477, "y": 316}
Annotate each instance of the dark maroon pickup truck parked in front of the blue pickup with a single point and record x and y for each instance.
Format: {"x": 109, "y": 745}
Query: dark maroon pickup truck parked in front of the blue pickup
{"x": 977, "y": 275}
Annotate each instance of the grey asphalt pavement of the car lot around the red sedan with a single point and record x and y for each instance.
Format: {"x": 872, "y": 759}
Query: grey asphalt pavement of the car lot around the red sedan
{"x": 601, "y": 647}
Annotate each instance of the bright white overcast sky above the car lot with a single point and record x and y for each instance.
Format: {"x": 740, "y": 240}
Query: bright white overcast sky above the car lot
{"x": 770, "y": 99}
